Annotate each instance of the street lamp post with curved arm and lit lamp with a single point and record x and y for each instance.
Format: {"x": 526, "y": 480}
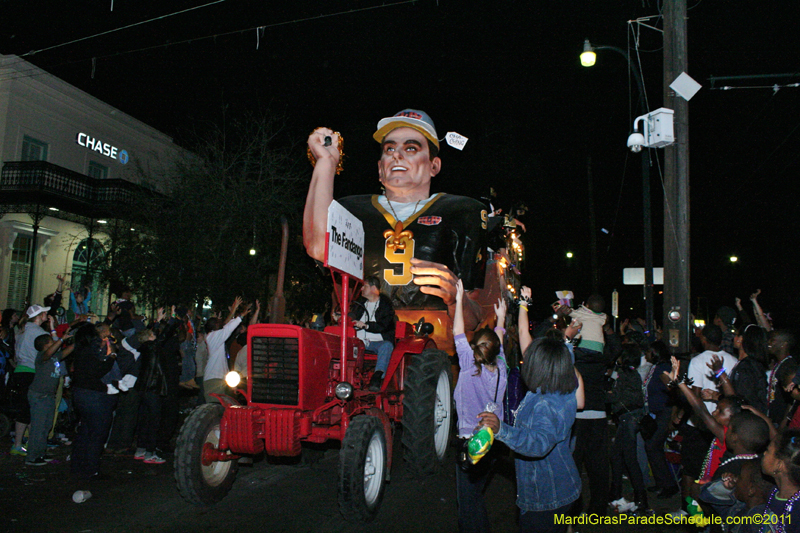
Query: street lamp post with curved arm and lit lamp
{"x": 588, "y": 58}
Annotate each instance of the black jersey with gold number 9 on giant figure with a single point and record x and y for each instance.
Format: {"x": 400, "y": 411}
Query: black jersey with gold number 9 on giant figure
{"x": 448, "y": 229}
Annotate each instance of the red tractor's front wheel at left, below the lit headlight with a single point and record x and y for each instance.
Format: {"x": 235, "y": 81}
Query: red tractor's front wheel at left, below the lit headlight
{"x": 201, "y": 484}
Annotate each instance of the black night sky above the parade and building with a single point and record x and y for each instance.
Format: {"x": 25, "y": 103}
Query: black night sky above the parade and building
{"x": 506, "y": 75}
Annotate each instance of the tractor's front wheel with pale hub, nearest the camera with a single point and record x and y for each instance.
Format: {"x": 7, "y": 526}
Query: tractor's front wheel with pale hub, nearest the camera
{"x": 362, "y": 469}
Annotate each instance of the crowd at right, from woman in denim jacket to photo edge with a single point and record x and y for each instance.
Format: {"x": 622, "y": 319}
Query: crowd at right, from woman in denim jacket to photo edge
{"x": 719, "y": 426}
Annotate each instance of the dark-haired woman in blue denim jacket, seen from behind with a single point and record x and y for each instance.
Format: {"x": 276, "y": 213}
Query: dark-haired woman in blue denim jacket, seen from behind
{"x": 547, "y": 478}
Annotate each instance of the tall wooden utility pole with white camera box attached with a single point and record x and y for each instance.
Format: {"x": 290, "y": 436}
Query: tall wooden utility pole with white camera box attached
{"x": 676, "y": 186}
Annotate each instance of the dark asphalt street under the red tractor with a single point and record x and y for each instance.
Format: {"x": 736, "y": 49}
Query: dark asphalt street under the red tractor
{"x": 294, "y": 496}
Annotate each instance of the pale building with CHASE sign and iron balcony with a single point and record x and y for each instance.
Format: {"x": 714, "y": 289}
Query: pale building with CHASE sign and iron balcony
{"x": 71, "y": 167}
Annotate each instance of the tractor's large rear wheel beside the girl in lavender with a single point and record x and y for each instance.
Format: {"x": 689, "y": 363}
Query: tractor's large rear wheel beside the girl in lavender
{"x": 427, "y": 411}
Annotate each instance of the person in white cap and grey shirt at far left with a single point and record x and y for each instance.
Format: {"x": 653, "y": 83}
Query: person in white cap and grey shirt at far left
{"x": 31, "y": 327}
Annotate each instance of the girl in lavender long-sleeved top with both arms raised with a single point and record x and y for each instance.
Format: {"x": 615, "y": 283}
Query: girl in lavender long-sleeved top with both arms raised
{"x": 482, "y": 381}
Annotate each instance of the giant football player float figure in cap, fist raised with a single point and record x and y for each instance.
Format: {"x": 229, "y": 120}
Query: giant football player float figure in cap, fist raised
{"x": 418, "y": 244}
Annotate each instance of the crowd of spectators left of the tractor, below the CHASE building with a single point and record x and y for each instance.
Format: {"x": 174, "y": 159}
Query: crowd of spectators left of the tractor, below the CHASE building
{"x": 123, "y": 377}
